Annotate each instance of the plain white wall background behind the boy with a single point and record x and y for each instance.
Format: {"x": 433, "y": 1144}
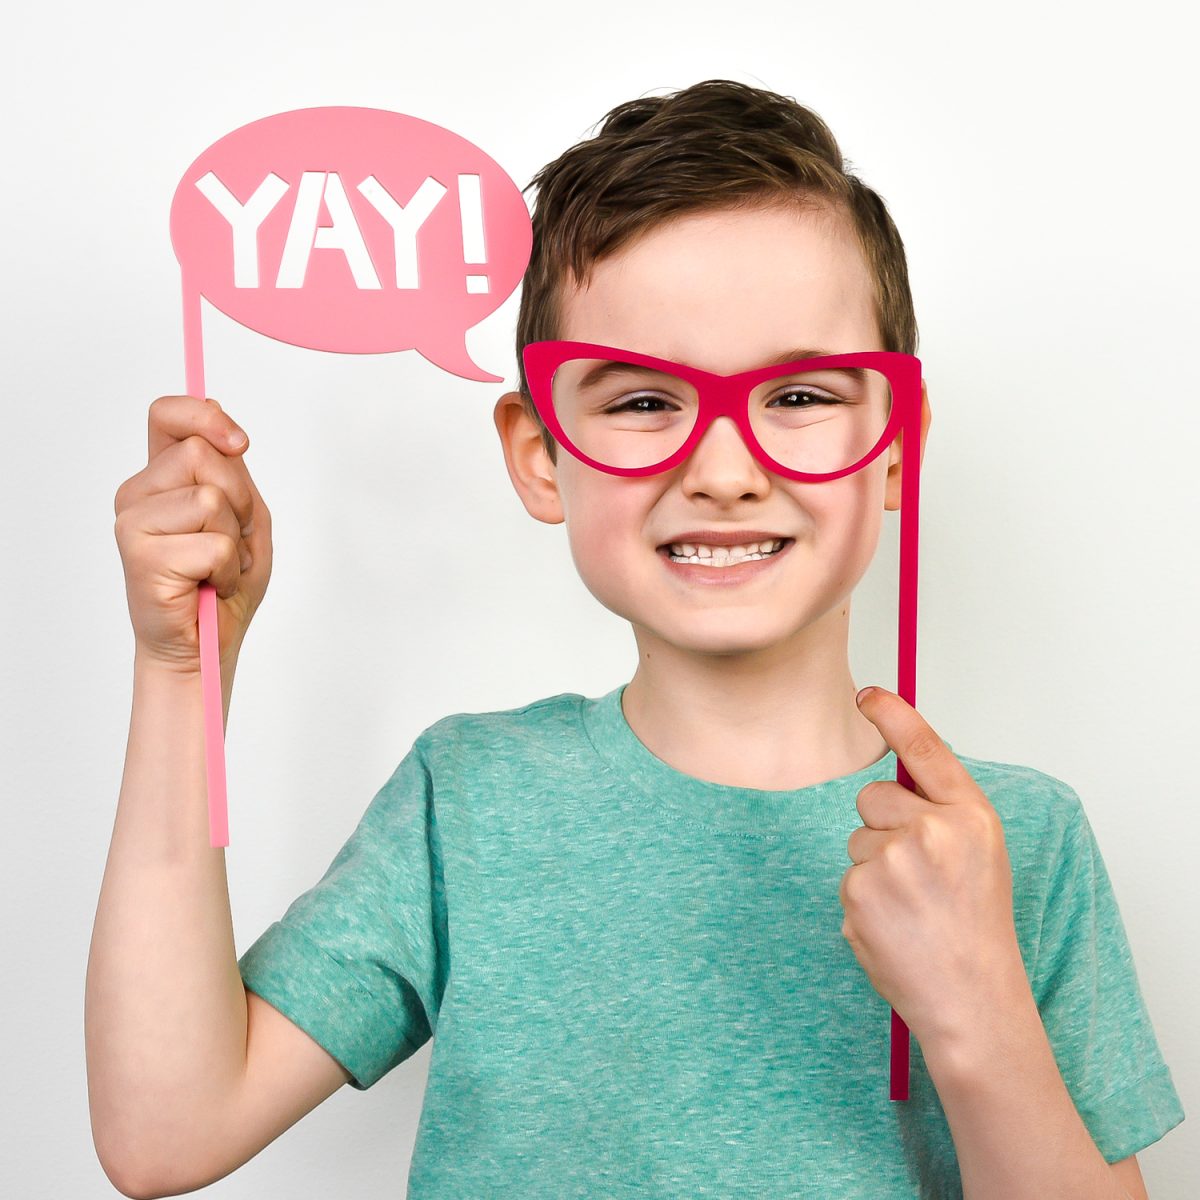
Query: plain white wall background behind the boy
{"x": 1040, "y": 163}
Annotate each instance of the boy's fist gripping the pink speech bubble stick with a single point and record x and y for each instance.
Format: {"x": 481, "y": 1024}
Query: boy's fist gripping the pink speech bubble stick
{"x": 182, "y": 521}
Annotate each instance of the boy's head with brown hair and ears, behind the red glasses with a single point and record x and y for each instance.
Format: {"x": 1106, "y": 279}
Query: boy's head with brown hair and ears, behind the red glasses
{"x": 715, "y": 227}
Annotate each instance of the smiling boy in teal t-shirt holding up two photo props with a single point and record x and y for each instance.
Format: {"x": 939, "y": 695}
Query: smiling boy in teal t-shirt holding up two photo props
{"x": 629, "y": 920}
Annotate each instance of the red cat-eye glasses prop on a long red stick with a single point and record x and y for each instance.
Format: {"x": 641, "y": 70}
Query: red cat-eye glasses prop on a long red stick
{"x": 814, "y": 419}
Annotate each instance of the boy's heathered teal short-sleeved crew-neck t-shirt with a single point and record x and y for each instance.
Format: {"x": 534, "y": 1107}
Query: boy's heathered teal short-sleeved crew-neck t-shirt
{"x": 637, "y": 981}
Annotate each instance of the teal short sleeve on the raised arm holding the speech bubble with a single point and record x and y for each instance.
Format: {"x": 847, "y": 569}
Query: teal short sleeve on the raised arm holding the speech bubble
{"x": 359, "y": 961}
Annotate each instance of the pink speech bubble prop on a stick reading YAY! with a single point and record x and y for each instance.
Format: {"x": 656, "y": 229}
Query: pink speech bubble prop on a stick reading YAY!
{"x": 356, "y": 231}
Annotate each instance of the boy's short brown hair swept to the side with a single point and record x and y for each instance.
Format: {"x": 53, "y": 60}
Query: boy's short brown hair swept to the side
{"x": 718, "y": 145}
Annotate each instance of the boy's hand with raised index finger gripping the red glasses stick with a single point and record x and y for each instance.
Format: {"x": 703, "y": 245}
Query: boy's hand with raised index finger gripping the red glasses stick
{"x": 929, "y": 901}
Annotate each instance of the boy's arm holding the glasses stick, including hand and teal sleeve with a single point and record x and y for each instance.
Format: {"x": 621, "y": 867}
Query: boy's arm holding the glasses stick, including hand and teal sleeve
{"x": 986, "y": 1024}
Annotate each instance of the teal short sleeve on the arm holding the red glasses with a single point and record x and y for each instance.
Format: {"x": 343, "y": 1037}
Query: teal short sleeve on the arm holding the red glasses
{"x": 1087, "y": 989}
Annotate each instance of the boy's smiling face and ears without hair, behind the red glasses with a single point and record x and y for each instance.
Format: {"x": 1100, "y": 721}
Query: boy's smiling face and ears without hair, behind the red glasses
{"x": 724, "y": 292}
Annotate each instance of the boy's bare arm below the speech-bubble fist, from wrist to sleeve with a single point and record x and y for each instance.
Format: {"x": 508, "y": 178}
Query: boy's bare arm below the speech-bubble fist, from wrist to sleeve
{"x": 166, "y": 1019}
